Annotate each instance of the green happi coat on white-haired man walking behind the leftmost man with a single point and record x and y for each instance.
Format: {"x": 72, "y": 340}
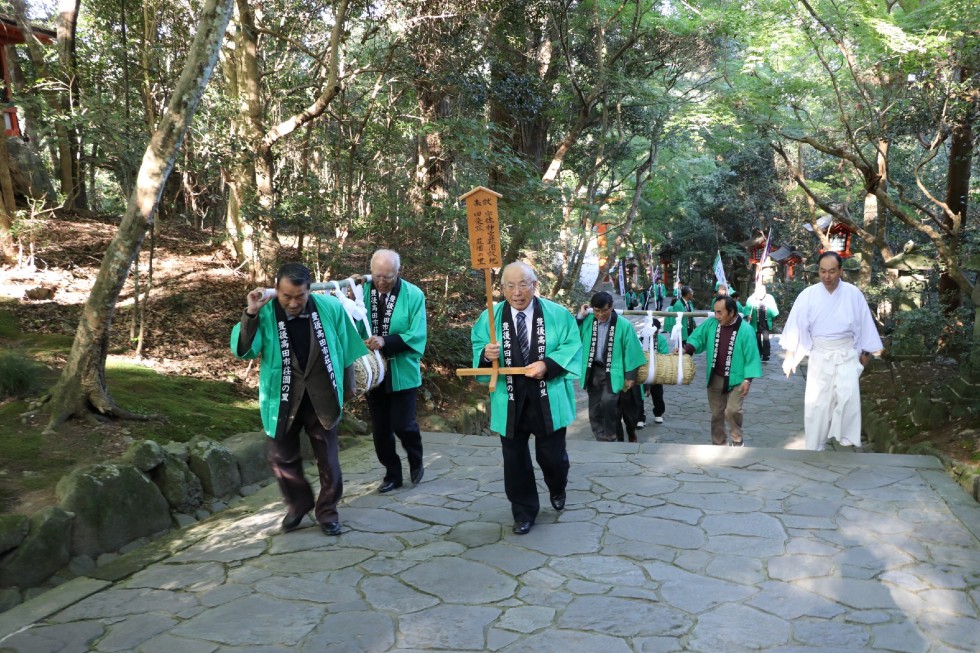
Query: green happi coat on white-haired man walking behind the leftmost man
{"x": 408, "y": 321}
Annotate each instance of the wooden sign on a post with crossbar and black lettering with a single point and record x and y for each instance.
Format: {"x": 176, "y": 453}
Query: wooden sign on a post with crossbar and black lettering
{"x": 484, "y": 231}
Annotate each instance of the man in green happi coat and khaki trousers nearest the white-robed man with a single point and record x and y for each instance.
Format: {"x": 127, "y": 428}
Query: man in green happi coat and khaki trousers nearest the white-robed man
{"x": 733, "y": 361}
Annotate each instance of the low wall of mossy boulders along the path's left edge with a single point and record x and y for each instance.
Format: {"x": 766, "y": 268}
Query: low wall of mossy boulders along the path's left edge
{"x": 113, "y": 506}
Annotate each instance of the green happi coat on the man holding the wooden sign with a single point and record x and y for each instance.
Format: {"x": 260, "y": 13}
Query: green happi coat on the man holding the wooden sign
{"x": 562, "y": 345}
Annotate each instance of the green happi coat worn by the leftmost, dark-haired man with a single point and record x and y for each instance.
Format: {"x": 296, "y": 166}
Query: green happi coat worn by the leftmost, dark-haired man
{"x": 342, "y": 342}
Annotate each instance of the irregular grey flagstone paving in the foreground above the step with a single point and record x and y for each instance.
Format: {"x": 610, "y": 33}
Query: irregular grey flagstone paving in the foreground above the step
{"x": 663, "y": 547}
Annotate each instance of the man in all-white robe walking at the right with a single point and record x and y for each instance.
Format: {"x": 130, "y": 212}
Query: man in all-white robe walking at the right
{"x": 831, "y": 322}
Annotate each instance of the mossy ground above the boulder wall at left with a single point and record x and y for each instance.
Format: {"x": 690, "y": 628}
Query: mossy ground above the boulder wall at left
{"x": 32, "y": 461}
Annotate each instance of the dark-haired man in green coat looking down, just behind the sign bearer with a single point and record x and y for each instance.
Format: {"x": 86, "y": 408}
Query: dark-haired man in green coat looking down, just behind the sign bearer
{"x": 612, "y": 355}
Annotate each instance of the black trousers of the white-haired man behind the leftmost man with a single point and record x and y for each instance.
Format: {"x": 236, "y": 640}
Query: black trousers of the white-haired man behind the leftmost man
{"x": 393, "y": 414}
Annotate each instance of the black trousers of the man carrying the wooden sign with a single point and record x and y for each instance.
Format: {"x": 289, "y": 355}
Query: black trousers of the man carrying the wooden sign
{"x": 549, "y": 450}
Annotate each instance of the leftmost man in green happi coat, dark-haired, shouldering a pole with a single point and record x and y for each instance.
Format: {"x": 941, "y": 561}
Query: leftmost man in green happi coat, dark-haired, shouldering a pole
{"x": 307, "y": 346}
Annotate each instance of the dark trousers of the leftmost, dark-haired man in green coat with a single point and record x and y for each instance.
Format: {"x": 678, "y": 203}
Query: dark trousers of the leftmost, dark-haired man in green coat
{"x": 287, "y": 466}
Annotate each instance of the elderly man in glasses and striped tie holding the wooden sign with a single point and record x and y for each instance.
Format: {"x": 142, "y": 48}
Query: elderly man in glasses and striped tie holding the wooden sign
{"x": 542, "y": 337}
